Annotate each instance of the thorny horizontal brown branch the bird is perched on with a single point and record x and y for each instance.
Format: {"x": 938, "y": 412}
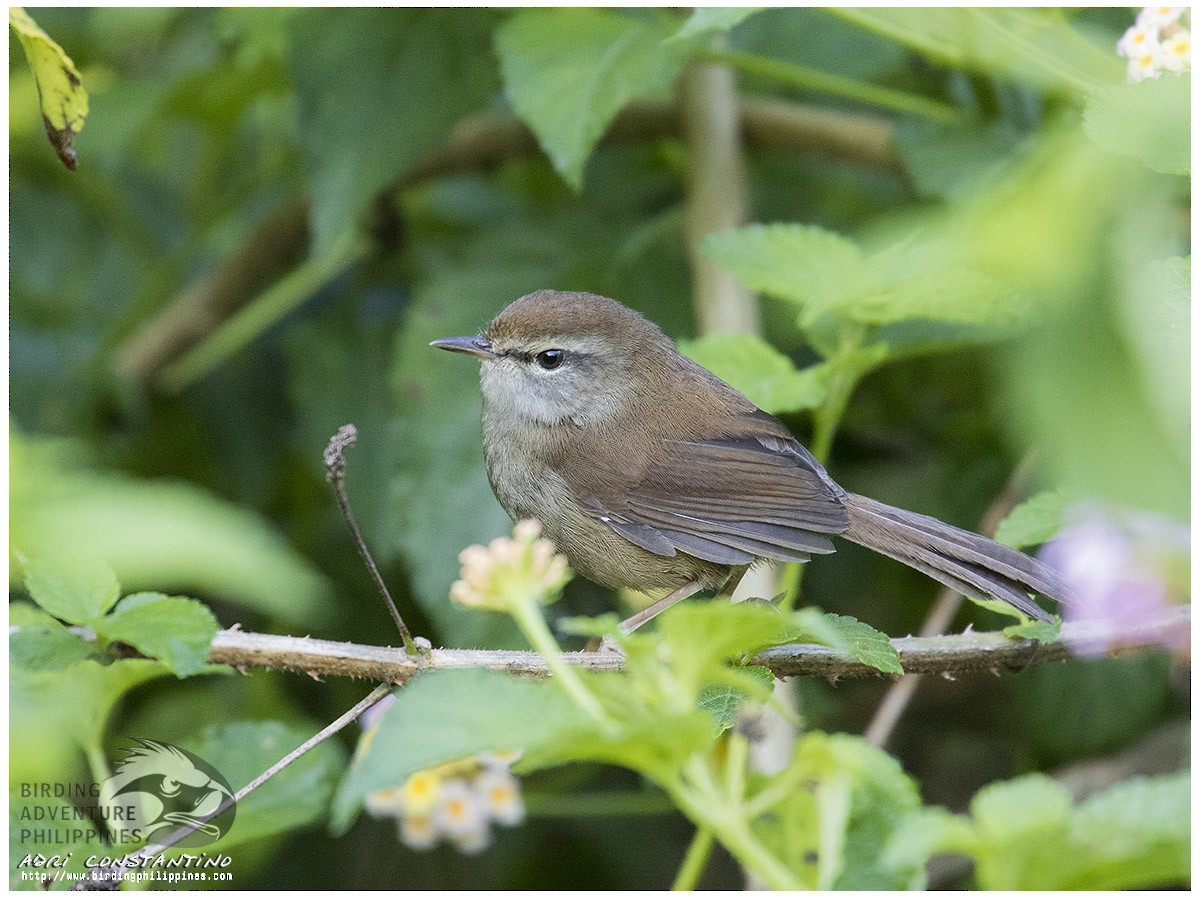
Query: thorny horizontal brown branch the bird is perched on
{"x": 949, "y": 655}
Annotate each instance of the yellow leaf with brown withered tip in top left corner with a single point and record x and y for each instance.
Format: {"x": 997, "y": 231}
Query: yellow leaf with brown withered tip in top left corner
{"x": 59, "y": 87}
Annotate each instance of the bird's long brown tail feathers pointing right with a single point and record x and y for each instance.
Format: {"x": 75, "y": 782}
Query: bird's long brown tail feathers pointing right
{"x": 970, "y": 563}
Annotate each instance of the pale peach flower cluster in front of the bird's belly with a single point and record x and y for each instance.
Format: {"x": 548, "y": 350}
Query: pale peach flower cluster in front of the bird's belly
{"x": 509, "y": 571}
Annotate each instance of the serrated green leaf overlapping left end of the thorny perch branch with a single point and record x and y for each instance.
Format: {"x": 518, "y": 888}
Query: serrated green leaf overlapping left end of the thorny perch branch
{"x": 176, "y": 631}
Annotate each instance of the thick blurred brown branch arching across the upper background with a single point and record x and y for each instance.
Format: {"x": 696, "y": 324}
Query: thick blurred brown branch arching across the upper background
{"x": 479, "y": 143}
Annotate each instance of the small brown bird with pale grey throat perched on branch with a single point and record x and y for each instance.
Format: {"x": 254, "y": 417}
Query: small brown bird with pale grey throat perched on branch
{"x": 649, "y": 472}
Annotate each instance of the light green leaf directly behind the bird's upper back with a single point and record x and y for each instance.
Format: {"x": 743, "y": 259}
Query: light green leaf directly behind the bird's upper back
{"x": 766, "y": 376}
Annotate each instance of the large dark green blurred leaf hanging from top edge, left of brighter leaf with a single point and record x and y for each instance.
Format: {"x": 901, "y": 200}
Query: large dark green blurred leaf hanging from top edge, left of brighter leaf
{"x": 415, "y": 74}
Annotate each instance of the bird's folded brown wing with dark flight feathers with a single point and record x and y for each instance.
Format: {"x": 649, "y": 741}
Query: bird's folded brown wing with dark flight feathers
{"x": 727, "y": 500}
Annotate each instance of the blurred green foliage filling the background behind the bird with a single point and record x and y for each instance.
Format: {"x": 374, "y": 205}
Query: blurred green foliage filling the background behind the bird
{"x": 265, "y": 231}
